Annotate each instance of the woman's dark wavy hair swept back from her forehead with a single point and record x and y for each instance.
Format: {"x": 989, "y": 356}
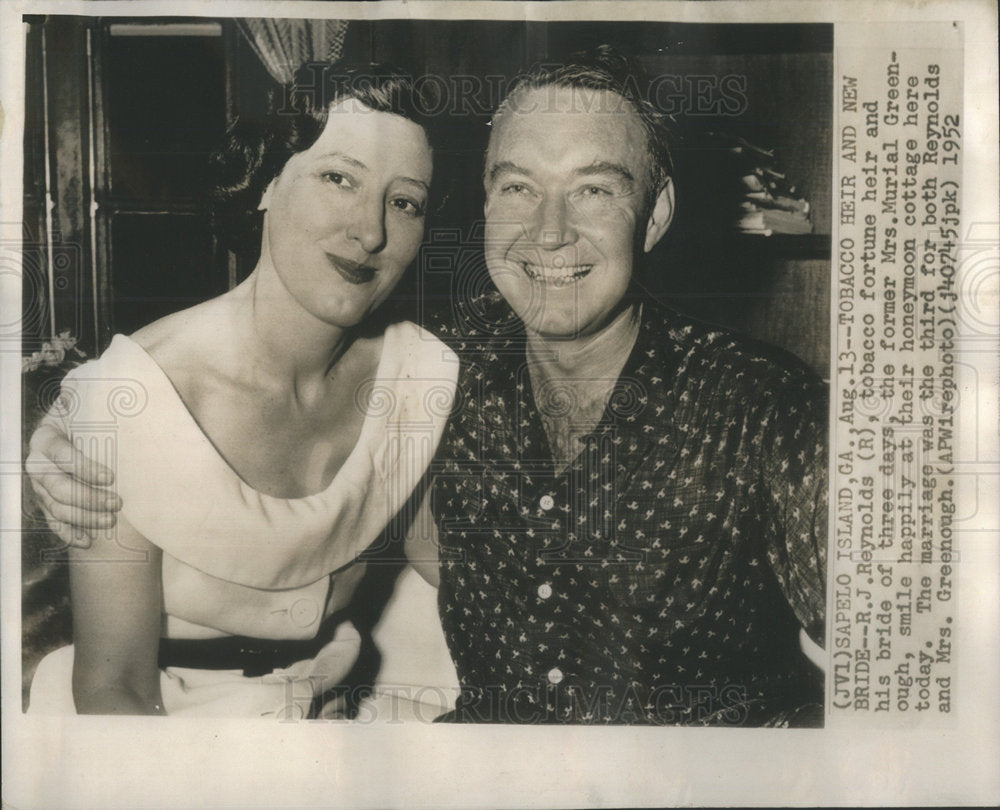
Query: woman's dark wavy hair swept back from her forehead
{"x": 255, "y": 152}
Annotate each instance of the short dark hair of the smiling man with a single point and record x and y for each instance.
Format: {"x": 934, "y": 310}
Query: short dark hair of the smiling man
{"x": 604, "y": 68}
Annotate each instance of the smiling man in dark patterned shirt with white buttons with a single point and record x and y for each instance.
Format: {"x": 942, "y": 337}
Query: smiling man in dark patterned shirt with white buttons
{"x": 630, "y": 505}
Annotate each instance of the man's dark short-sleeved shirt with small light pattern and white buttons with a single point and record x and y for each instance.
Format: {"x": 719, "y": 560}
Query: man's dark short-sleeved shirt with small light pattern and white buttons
{"x": 663, "y": 577}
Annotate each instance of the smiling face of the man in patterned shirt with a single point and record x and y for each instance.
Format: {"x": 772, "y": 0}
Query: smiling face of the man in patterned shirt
{"x": 567, "y": 191}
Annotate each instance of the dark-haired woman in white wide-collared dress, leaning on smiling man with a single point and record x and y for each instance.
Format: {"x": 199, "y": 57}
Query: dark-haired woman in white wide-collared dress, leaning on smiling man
{"x": 269, "y": 434}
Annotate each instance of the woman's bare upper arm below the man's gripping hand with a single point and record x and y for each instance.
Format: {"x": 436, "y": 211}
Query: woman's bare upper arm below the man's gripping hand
{"x": 117, "y": 600}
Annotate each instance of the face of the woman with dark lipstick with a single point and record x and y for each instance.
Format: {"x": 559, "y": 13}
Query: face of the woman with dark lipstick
{"x": 345, "y": 218}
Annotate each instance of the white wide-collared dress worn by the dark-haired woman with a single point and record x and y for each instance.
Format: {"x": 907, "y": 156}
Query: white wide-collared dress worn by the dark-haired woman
{"x": 237, "y": 561}
